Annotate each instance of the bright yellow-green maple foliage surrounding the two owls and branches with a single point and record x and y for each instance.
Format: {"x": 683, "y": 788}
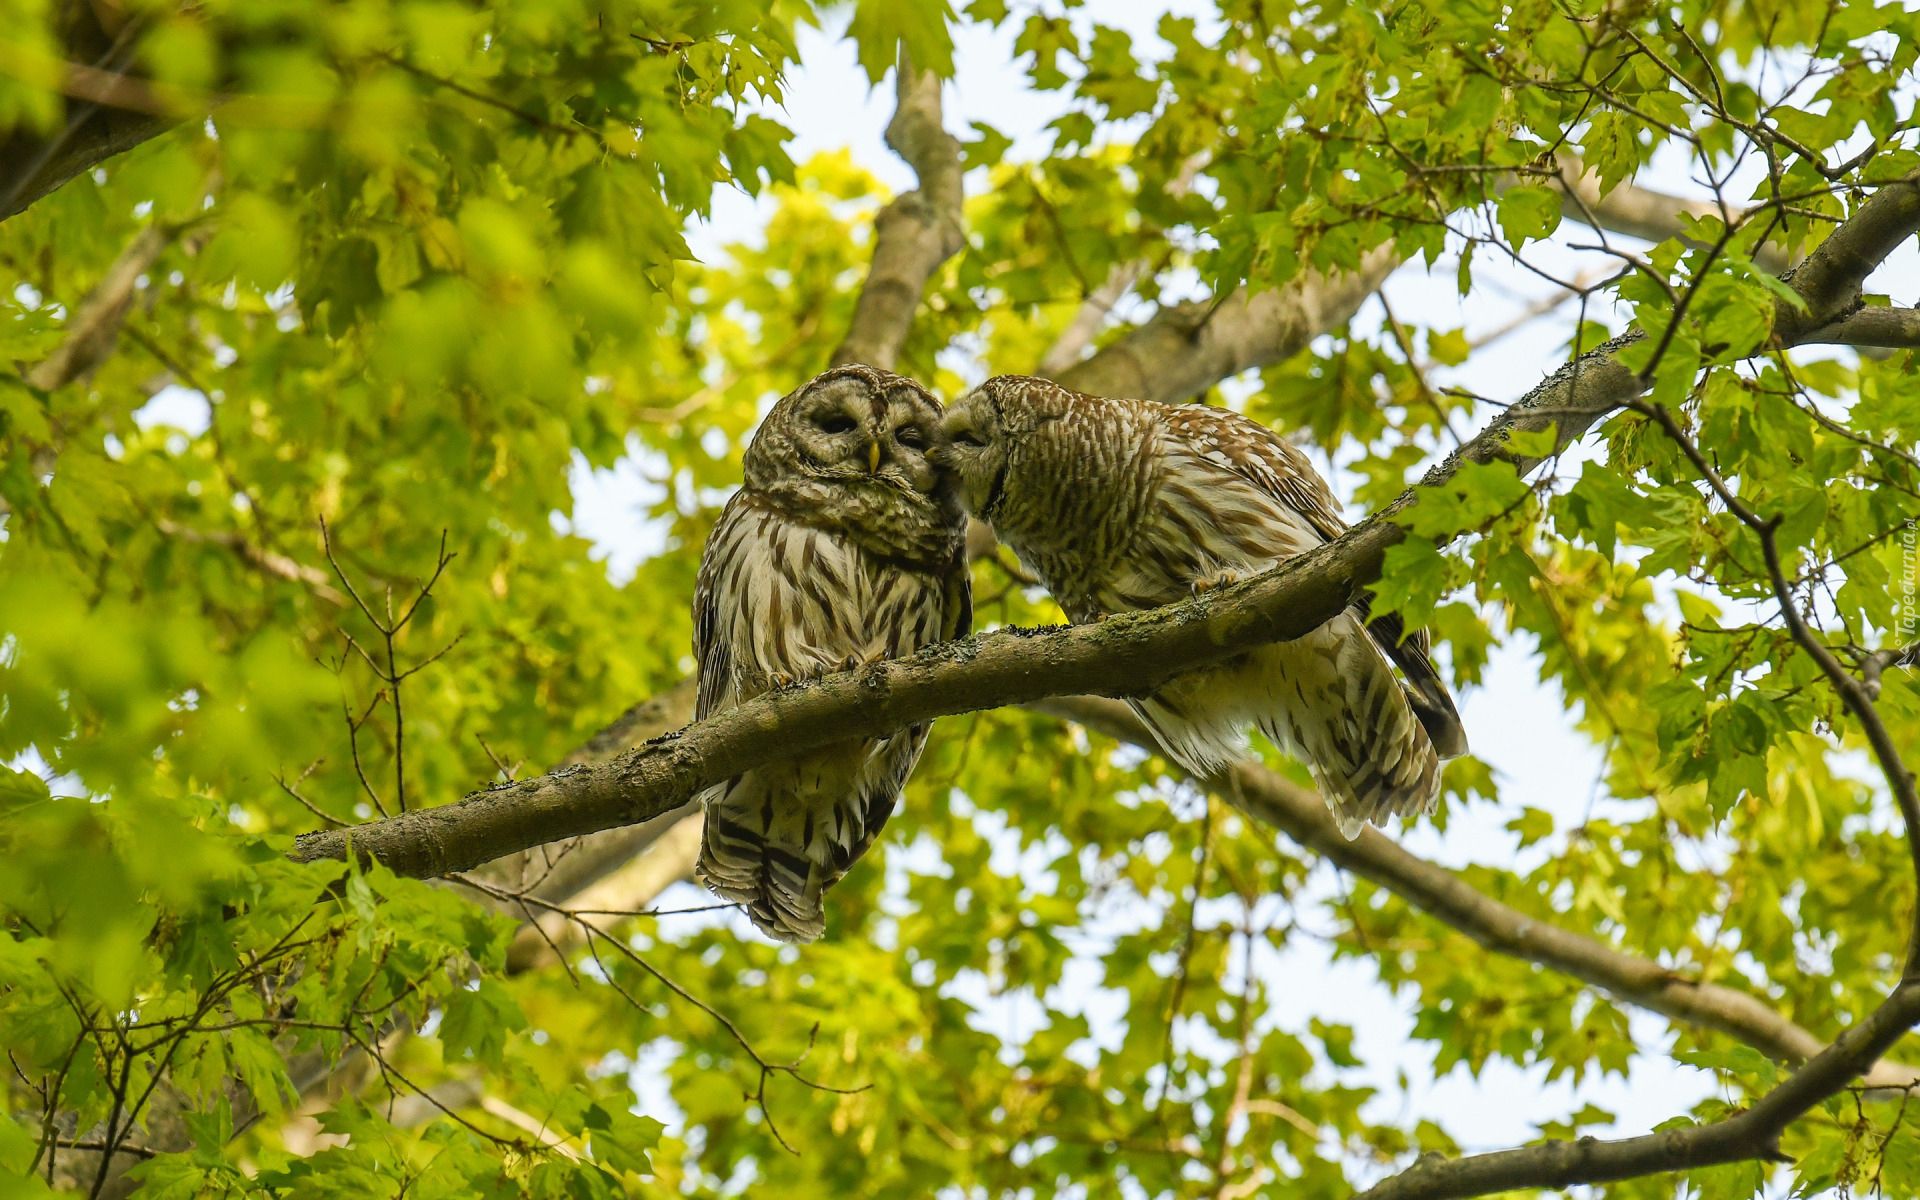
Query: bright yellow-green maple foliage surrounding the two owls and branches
{"x": 427, "y": 262}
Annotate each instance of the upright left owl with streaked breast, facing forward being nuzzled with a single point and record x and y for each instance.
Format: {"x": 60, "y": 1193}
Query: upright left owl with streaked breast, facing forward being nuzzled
{"x": 846, "y": 544}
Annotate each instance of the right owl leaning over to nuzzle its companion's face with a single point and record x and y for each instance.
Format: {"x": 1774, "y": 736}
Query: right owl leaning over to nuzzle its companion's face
{"x": 1126, "y": 504}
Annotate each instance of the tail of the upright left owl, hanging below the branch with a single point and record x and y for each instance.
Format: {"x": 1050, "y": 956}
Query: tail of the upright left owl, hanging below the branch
{"x": 777, "y": 846}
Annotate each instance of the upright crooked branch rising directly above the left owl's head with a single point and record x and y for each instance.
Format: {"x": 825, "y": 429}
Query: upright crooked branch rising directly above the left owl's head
{"x": 913, "y": 235}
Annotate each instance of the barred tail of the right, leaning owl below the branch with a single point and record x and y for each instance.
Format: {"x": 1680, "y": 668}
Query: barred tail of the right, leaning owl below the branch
{"x": 1362, "y": 736}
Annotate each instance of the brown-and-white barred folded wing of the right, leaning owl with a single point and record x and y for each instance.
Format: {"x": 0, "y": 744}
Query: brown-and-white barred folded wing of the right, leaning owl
{"x": 1280, "y": 469}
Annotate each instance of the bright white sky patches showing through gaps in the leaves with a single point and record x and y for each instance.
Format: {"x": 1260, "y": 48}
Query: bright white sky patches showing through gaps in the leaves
{"x": 1516, "y": 725}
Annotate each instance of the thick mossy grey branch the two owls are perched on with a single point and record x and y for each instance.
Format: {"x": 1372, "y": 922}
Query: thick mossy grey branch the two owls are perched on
{"x": 1124, "y": 656}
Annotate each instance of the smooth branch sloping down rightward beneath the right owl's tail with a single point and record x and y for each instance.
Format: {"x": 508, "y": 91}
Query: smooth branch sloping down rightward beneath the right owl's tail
{"x": 1500, "y": 928}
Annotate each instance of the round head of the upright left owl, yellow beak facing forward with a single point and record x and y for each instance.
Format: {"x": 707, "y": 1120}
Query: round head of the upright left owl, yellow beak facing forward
{"x": 850, "y": 450}
